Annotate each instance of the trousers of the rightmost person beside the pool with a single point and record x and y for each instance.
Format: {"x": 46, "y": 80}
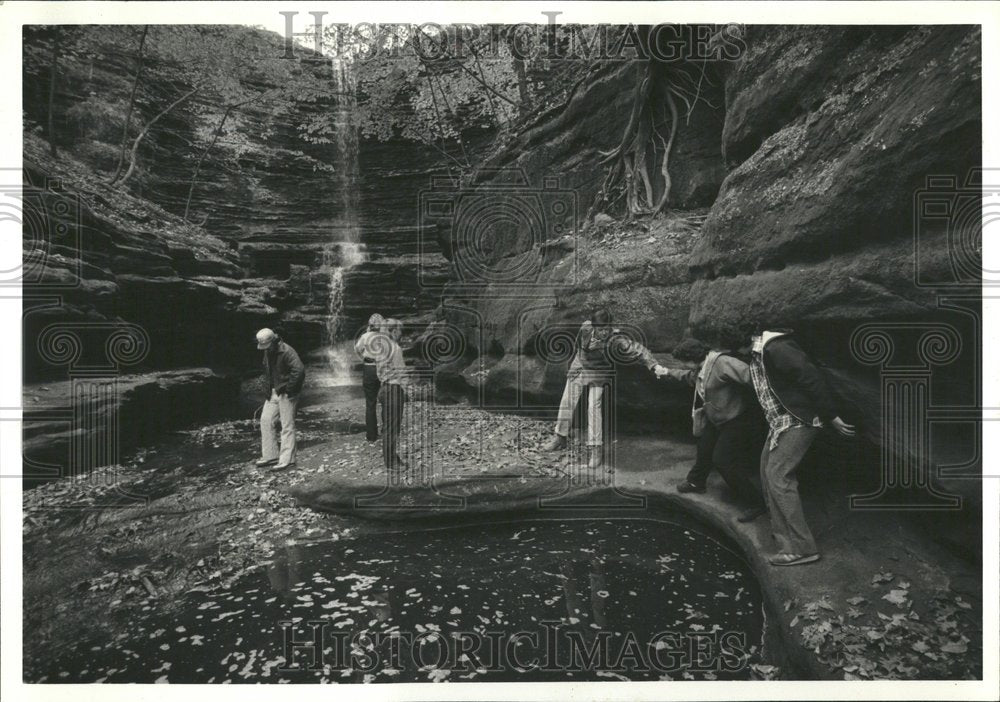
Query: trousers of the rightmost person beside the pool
{"x": 781, "y": 489}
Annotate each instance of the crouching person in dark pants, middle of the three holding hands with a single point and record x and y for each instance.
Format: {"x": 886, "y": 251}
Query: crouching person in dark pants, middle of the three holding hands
{"x": 727, "y": 426}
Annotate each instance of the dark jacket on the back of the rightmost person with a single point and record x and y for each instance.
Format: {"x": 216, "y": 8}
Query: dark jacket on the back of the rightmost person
{"x": 796, "y": 381}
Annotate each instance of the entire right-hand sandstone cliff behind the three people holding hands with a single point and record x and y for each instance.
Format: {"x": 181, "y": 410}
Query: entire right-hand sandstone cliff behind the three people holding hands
{"x": 814, "y": 172}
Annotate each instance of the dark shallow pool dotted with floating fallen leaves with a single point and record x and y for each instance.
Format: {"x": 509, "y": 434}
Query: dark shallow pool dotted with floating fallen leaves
{"x": 579, "y": 599}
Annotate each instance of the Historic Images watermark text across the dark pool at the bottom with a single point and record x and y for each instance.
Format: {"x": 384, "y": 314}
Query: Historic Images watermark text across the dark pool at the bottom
{"x": 314, "y": 646}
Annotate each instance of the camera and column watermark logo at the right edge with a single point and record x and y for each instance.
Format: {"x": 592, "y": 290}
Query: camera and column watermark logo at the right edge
{"x": 950, "y": 214}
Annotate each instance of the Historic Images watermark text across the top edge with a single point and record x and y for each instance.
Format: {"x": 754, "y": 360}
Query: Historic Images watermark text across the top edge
{"x": 549, "y": 40}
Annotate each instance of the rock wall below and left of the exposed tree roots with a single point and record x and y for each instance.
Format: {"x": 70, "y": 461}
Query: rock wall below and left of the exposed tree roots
{"x": 516, "y": 325}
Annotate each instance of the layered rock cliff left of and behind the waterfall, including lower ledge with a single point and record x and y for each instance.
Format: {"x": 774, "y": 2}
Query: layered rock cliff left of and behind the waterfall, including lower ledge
{"x": 267, "y": 224}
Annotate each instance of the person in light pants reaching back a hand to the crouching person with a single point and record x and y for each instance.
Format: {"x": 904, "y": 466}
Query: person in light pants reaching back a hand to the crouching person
{"x": 598, "y": 344}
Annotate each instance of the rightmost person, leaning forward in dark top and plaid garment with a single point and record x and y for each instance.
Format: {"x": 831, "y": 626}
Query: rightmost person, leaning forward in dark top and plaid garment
{"x": 796, "y": 404}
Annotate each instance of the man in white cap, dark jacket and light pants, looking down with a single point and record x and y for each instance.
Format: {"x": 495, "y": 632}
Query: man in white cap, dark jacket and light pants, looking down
{"x": 285, "y": 376}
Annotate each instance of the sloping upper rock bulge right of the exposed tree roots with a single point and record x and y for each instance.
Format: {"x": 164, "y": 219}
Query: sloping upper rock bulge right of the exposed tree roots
{"x": 840, "y": 172}
